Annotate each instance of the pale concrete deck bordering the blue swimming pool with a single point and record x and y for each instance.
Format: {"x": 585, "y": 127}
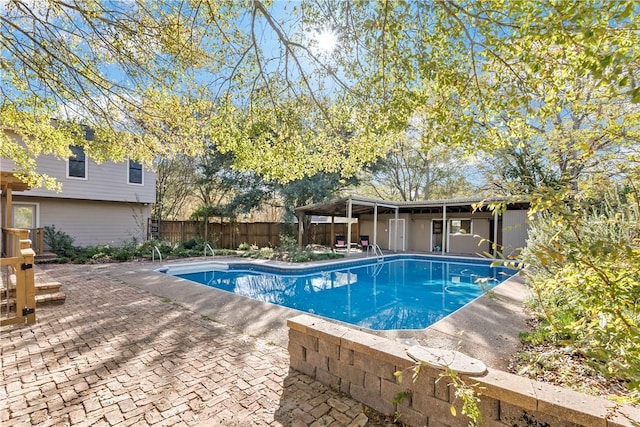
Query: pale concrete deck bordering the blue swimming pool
{"x": 486, "y": 329}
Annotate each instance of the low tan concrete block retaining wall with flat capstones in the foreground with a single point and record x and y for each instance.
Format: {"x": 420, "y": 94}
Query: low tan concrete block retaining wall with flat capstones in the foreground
{"x": 362, "y": 366}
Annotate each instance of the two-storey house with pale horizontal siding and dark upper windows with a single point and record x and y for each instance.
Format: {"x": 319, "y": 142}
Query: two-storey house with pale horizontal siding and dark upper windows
{"x": 107, "y": 203}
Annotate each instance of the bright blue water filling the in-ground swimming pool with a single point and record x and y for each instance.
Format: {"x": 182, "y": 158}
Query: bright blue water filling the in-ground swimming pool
{"x": 401, "y": 293}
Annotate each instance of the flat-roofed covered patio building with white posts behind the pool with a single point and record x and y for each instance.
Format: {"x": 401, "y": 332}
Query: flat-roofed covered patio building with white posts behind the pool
{"x": 461, "y": 226}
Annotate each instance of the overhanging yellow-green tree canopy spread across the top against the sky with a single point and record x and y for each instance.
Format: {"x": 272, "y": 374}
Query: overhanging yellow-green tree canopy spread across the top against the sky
{"x": 163, "y": 77}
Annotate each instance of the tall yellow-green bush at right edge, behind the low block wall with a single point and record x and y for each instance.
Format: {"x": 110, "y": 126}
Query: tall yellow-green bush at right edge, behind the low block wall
{"x": 584, "y": 269}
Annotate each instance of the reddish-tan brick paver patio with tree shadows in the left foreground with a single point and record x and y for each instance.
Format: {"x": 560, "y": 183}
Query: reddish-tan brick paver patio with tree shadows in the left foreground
{"x": 117, "y": 355}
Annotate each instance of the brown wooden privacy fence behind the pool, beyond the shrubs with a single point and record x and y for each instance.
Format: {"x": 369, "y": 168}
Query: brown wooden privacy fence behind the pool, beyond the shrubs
{"x": 230, "y": 235}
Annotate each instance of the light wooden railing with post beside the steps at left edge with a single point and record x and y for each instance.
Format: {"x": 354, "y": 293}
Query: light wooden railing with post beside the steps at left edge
{"x": 17, "y": 284}
